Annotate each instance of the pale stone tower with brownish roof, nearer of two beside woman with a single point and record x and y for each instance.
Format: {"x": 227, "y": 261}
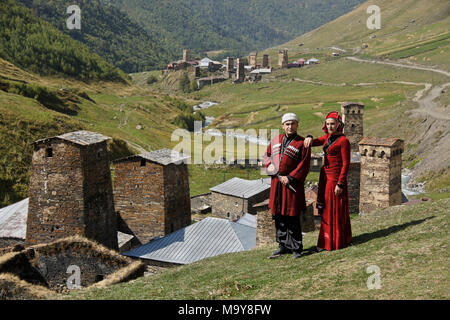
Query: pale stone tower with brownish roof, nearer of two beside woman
{"x": 381, "y": 165}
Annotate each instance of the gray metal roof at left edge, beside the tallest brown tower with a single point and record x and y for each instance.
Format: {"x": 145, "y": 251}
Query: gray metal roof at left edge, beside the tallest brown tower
{"x": 13, "y": 220}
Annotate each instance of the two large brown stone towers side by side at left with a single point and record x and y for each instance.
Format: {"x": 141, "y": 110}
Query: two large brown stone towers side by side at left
{"x": 71, "y": 192}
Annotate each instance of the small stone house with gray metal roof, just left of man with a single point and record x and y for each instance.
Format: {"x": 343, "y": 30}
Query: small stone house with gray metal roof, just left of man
{"x": 235, "y": 197}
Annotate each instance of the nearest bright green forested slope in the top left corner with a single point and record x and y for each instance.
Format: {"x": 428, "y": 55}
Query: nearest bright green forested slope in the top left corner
{"x": 37, "y": 46}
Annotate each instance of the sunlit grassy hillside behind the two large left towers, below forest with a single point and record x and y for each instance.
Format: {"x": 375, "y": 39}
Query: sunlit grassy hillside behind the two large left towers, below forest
{"x": 34, "y": 107}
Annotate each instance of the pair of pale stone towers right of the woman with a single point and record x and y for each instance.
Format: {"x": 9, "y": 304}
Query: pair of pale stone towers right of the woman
{"x": 374, "y": 177}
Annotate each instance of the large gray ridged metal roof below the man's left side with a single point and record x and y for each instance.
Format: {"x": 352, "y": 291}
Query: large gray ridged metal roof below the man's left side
{"x": 207, "y": 238}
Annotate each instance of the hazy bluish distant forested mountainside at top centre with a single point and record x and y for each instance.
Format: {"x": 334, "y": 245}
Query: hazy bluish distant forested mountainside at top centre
{"x": 232, "y": 27}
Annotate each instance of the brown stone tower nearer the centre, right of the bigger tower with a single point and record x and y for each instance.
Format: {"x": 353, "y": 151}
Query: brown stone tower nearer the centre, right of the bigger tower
{"x": 151, "y": 194}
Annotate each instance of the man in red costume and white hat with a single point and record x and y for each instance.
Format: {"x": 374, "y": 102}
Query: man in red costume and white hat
{"x": 287, "y": 161}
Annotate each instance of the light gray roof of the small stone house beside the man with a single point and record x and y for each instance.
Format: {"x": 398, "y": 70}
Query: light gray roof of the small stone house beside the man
{"x": 242, "y": 188}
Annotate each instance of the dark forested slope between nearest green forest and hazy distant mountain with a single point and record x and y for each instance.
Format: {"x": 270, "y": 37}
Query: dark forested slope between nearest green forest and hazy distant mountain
{"x": 106, "y": 31}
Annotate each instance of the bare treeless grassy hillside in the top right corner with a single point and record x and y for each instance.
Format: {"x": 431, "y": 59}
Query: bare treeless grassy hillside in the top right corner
{"x": 414, "y": 30}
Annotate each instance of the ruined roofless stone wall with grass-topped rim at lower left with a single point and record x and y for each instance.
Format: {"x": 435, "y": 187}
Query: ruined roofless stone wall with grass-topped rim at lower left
{"x": 47, "y": 265}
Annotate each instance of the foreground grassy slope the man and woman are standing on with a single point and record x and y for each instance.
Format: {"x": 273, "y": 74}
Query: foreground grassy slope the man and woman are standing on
{"x": 408, "y": 243}
